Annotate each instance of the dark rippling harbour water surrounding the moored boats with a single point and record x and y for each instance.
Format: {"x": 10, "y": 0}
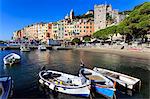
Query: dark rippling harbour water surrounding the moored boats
{"x": 25, "y": 74}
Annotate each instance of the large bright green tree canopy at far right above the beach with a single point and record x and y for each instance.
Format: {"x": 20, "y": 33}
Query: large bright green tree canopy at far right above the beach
{"x": 137, "y": 24}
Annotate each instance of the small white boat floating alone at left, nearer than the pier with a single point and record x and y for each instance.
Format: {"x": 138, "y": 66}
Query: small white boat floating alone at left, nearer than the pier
{"x": 11, "y": 59}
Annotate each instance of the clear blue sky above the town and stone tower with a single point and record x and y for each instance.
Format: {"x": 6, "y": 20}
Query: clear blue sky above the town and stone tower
{"x": 15, "y": 14}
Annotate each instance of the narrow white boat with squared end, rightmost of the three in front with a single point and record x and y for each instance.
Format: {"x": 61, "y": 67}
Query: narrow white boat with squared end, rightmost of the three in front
{"x": 122, "y": 79}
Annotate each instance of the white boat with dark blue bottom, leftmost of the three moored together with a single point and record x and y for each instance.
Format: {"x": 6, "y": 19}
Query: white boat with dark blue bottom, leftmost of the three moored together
{"x": 65, "y": 83}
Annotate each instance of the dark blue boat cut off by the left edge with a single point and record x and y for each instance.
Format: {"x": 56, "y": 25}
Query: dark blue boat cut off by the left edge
{"x": 6, "y": 84}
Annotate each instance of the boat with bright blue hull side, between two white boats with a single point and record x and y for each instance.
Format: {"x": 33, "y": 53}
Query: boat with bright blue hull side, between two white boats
{"x": 100, "y": 83}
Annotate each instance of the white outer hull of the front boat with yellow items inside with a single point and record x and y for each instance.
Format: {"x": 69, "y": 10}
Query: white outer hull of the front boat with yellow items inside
{"x": 77, "y": 90}
